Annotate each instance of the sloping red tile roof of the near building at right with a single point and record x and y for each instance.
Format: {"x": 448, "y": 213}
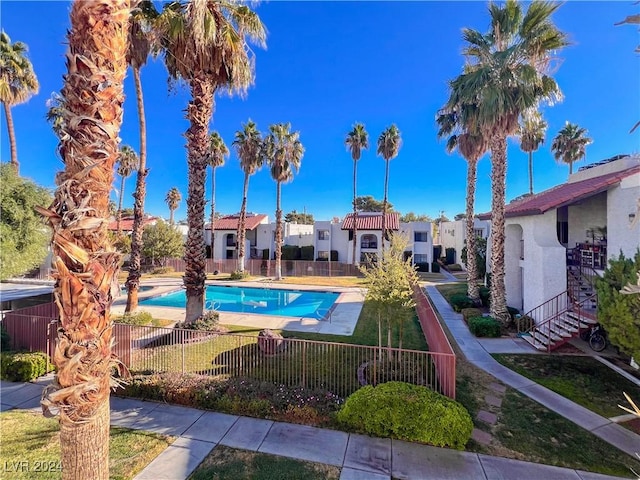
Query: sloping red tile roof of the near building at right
{"x": 562, "y": 195}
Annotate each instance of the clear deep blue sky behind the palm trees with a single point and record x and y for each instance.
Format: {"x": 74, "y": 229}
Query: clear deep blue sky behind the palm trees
{"x": 330, "y": 64}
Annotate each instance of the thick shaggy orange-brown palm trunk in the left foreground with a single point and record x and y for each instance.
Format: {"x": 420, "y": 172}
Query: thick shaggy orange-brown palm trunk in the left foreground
{"x": 86, "y": 265}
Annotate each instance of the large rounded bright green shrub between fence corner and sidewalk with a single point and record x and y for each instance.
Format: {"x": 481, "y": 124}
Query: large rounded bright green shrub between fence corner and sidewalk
{"x": 407, "y": 412}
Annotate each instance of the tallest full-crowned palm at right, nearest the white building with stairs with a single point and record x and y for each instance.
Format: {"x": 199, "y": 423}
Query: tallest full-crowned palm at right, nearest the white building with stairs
{"x": 506, "y": 73}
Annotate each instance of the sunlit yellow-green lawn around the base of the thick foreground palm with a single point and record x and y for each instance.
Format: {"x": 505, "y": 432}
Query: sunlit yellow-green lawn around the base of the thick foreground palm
{"x": 35, "y": 440}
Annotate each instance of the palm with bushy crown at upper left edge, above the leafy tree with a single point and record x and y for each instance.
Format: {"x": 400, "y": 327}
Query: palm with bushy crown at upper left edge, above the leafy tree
{"x": 18, "y": 82}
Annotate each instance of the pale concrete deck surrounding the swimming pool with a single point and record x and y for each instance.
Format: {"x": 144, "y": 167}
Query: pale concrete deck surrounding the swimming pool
{"x": 340, "y": 320}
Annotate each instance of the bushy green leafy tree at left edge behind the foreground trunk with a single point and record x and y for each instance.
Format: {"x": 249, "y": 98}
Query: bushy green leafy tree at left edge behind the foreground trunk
{"x": 23, "y": 235}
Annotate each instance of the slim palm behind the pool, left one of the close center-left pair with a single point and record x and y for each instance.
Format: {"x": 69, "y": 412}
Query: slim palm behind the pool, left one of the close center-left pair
{"x": 248, "y": 145}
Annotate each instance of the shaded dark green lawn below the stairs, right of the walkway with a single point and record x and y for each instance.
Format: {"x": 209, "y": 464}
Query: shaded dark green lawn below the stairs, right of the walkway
{"x": 581, "y": 379}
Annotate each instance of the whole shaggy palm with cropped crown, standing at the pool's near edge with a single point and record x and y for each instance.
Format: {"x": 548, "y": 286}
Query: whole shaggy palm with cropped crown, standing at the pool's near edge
{"x": 204, "y": 44}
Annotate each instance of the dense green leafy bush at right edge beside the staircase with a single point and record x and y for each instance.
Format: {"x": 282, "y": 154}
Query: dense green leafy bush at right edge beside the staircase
{"x": 619, "y": 312}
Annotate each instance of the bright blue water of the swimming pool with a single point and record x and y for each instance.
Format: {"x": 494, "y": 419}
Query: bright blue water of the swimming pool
{"x": 288, "y": 303}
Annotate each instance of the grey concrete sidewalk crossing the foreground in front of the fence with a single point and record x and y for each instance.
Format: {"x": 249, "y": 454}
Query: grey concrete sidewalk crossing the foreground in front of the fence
{"x": 359, "y": 457}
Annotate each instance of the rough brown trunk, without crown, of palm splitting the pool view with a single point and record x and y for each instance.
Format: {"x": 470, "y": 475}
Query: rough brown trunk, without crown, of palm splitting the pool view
{"x": 199, "y": 114}
